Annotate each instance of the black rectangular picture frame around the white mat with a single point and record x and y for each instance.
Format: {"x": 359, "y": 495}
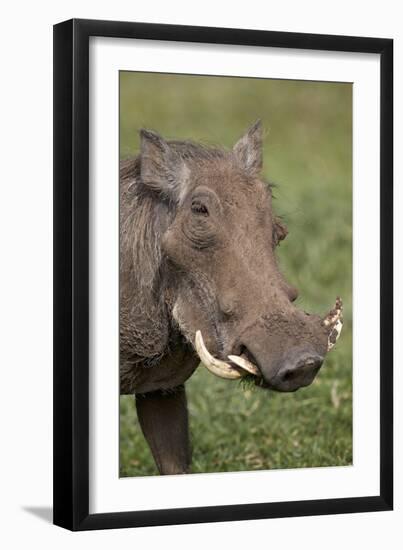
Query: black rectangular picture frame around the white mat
{"x": 71, "y": 274}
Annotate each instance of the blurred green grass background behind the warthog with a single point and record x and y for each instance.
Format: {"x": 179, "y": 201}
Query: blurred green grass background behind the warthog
{"x": 308, "y": 155}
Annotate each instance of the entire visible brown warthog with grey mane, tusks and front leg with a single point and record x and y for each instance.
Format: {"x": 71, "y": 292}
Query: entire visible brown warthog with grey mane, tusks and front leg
{"x": 199, "y": 281}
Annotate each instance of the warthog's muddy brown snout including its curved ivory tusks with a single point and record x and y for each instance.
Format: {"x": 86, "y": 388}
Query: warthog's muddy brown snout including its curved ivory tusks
{"x": 283, "y": 352}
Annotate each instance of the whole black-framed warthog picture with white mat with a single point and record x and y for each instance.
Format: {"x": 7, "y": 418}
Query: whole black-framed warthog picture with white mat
{"x": 223, "y": 242}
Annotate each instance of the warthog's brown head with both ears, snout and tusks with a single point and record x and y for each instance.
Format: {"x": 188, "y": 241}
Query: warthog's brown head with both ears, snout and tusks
{"x": 225, "y": 290}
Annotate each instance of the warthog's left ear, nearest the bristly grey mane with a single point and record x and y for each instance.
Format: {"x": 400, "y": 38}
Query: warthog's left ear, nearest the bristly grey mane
{"x": 161, "y": 168}
